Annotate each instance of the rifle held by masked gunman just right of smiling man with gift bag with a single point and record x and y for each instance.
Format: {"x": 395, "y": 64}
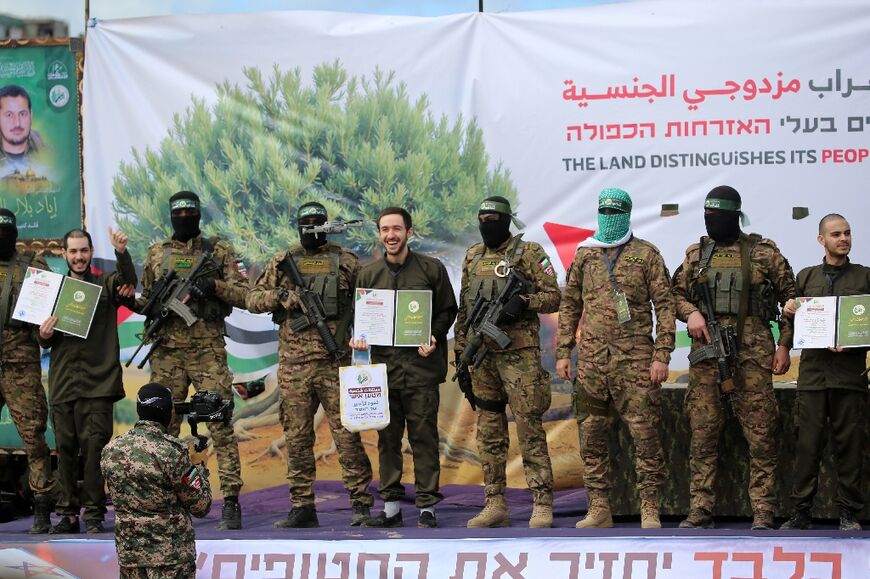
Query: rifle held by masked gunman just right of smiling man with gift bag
{"x": 483, "y": 323}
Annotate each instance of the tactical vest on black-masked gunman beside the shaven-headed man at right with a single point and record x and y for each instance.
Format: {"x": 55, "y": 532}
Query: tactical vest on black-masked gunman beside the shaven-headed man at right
{"x": 724, "y": 271}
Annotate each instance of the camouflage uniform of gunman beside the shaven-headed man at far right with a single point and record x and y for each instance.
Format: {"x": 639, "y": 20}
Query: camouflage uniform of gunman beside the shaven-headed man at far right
{"x": 754, "y": 402}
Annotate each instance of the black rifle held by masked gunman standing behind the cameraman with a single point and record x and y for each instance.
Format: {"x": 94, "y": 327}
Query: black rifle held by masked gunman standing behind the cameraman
{"x": 170, "y": 295}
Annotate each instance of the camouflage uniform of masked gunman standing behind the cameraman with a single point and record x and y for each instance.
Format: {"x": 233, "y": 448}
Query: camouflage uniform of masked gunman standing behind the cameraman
{"x": 197, "y": 355}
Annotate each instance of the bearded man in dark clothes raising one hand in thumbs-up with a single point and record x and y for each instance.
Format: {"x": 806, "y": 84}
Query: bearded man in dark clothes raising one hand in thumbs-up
{"x": 84, "y": 381}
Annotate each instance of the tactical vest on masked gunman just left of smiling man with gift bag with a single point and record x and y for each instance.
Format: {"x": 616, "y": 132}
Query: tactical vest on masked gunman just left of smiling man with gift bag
{"x": 321, "y": 275}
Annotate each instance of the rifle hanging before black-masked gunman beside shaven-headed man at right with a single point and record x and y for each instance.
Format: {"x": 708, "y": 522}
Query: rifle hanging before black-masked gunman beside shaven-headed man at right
{"x": 723, "y": 347}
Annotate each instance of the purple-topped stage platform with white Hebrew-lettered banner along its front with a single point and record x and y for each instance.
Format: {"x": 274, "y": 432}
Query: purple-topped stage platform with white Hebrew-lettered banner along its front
{"x": 452, "y": 551}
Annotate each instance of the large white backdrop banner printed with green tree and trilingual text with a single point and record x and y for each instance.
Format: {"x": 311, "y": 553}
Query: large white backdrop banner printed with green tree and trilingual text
{"x": 259, "y": 113}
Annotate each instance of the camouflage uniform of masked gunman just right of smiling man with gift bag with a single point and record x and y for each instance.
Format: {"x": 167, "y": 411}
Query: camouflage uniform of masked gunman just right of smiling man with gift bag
{"x": 514, "y": 374}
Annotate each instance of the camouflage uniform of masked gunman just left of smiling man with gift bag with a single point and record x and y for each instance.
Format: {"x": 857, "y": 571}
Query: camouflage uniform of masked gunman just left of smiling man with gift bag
{"x": 308, "y": 373}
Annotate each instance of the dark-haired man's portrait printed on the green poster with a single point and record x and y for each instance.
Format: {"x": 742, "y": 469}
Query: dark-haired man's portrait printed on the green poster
{"x": 17, "y": 139}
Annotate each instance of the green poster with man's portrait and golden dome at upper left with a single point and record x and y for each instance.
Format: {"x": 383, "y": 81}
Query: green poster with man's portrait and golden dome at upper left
{"x": 40, "y": 162}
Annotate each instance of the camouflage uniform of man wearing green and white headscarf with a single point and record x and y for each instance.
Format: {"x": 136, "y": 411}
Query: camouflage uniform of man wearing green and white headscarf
{"x": 614, "y": 359}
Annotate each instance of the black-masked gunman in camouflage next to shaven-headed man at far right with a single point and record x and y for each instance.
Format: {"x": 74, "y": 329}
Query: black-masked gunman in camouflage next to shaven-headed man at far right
{"x": 748, "y": 279}
